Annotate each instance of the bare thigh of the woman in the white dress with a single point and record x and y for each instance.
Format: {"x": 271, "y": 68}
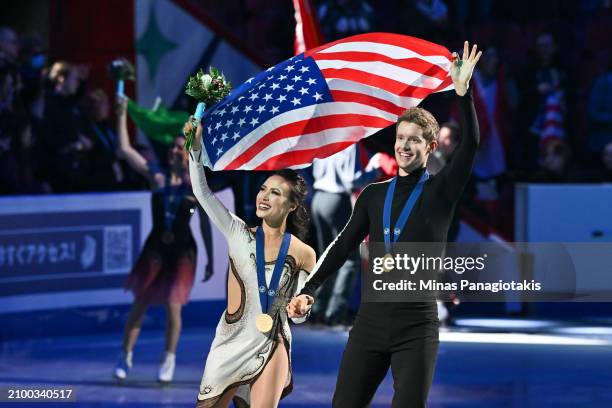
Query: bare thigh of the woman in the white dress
{"x": 267, "y": 389}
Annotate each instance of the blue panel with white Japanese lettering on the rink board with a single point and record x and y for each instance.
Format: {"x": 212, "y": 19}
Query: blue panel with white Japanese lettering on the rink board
{"x": 43, "y": 246}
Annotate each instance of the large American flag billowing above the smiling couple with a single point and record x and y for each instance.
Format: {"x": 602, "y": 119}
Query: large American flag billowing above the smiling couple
{"x": 322, "y": 101}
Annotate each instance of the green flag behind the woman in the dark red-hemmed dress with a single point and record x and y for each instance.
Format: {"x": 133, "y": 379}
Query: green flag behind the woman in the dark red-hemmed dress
{"x": 161, "y": 124}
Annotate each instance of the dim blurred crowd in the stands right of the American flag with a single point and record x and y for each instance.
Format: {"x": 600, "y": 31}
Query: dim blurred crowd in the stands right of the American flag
{"x": 542, "y": 87}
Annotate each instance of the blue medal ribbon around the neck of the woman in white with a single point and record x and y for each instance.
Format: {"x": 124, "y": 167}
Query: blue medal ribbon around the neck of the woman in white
{"x": 268, "y": 293}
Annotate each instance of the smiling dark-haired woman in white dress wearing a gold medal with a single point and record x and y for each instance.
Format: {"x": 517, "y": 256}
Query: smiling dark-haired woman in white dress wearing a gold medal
{"x": 249, "y": 362}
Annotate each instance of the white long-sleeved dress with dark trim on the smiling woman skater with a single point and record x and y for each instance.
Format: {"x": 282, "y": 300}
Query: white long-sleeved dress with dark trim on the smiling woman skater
{"x": 239, "y": 352}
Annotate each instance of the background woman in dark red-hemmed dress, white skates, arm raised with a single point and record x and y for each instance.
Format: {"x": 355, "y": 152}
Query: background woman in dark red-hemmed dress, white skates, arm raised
{"x": 164, "y": 272}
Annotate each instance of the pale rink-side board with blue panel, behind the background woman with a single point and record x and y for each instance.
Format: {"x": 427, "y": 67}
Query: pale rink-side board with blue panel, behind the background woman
{"x": 70, "y": 251}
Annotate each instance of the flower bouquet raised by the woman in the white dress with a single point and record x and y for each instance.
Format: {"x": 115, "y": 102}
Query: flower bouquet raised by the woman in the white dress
{"x": 207, "y": 89}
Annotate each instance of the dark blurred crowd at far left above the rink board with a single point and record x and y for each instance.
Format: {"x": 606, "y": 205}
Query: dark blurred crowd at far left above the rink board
{"x": 57, "y": 134}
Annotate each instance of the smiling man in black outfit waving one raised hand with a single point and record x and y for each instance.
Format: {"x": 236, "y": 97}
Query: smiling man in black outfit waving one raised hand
{"x": 401, "y": 335}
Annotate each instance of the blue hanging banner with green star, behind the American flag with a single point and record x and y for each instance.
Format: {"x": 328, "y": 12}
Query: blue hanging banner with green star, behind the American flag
{"x": 172, "y": 39}
